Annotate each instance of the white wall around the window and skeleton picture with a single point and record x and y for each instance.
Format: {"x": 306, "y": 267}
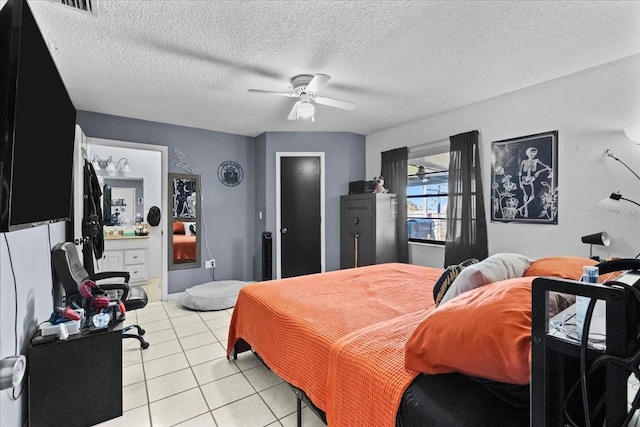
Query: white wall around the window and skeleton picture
{"x": 589, "y": 109}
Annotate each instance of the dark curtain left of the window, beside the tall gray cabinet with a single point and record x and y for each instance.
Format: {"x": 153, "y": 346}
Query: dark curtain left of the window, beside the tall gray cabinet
{"x": 394, "y": 172}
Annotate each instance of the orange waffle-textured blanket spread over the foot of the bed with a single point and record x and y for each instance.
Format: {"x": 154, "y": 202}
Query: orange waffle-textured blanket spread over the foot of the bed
{"x": 293, "y": 323}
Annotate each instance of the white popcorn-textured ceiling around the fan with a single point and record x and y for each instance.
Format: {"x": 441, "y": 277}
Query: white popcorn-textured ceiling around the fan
{"x": 191, "y": 62}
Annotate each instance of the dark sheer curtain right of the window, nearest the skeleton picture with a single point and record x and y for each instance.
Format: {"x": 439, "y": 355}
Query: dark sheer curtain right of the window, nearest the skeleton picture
{"x": 466, "y": 223}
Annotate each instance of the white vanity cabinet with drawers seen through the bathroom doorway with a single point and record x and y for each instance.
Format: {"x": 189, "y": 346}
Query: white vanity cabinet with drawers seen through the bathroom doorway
{"x": 127, "y": 254}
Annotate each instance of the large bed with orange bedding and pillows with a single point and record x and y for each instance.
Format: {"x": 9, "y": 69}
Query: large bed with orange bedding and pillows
{"x": 342, "y": 340}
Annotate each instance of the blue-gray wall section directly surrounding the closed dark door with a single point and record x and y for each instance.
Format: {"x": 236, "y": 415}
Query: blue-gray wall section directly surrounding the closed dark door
{"x": 344, "y": 162}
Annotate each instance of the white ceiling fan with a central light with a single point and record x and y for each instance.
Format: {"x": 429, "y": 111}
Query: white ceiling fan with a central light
{"x": 306, "y": 87}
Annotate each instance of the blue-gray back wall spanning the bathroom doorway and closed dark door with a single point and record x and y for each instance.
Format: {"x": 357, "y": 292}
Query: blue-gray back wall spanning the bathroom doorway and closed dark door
{"x": 233, "y": 227}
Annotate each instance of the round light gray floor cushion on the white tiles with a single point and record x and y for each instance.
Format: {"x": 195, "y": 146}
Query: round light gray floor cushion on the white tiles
{"x": 212, "y": 295}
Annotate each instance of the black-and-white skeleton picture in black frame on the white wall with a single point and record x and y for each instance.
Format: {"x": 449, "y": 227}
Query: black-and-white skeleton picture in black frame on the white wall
{"x": 524, "y": 179}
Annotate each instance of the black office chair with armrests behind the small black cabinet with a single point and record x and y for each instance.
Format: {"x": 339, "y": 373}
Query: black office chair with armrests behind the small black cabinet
{"x": 70, "y": 272}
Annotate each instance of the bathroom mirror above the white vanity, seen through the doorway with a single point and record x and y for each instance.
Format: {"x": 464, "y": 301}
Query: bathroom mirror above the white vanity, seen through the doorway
{"x": 123, "y": 201}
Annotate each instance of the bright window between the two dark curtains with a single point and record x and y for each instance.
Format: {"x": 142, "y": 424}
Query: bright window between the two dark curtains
{"x": 427, "y": 189}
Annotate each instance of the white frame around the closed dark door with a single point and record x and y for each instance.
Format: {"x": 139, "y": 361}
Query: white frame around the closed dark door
{"x": 321, "y": 157}
